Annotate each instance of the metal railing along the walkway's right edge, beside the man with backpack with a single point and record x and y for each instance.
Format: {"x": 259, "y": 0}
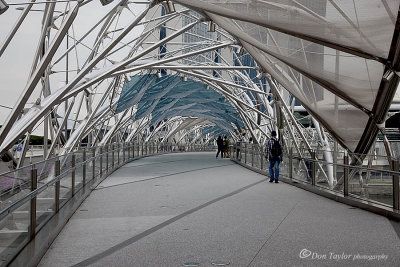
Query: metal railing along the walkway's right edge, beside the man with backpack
{"x": 376, "y": 184}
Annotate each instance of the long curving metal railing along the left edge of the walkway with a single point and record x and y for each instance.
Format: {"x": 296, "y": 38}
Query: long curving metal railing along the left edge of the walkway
{"x": 32, "y": 195}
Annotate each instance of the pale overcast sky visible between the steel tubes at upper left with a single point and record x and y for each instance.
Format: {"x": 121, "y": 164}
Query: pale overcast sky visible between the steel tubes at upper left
{"x": 16, "y": 62}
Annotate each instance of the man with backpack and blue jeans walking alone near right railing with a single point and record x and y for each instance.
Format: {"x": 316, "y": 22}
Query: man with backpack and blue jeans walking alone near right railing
{"x": 273, "y": 152}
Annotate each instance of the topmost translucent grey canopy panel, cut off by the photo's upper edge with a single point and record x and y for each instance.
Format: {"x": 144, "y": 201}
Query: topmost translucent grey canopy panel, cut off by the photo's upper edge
{"x": 335, "y": 22}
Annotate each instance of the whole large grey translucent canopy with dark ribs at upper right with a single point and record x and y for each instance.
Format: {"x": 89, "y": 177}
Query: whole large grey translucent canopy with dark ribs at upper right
{"x": 328, "y": 54}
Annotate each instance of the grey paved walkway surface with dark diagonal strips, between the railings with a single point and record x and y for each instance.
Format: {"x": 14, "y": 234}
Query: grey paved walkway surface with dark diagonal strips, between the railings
{"x": 176, "y": 209}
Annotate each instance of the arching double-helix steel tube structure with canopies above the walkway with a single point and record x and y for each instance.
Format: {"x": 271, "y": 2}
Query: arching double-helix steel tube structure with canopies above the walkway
{"x": 86, "y": 74}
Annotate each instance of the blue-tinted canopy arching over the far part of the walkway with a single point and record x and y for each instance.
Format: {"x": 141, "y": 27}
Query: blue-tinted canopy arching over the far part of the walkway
{"x": 170, "y": 96}
